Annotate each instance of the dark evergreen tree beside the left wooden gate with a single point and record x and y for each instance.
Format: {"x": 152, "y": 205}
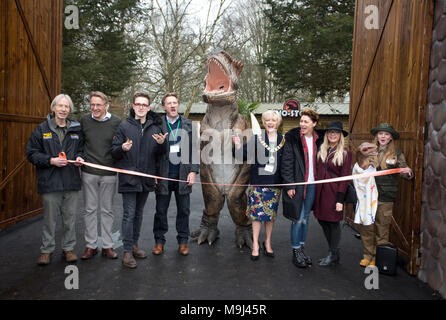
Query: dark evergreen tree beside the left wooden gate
{"x": 99, "y": 55}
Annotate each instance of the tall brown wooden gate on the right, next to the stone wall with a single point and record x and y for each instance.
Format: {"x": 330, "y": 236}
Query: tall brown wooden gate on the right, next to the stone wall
{"x": 389, "y": 83}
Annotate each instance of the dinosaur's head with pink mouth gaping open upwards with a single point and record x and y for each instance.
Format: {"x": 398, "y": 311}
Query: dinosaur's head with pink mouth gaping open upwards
{"x": 222, "y": 78}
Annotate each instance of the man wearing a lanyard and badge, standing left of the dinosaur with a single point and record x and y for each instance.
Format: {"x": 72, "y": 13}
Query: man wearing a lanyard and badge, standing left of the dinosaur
{"x": 176, "y": 163}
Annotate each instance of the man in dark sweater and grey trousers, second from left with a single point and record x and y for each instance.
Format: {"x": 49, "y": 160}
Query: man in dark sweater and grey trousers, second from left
{"x": 99, "y": 186}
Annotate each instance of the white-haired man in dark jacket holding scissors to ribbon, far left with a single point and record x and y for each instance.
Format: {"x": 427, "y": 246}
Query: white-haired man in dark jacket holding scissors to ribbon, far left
{"x": 49, "y": 148}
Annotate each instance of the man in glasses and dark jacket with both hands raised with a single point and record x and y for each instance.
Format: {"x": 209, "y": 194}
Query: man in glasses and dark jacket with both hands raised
{"x": 138, "y": 142}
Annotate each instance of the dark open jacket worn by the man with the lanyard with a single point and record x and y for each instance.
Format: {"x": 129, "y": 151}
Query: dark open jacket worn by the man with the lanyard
{"x": 186, "y": 167}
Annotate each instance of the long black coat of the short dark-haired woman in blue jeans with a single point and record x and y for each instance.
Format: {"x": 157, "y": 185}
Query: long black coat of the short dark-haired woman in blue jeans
{"x": 293, "y": 171}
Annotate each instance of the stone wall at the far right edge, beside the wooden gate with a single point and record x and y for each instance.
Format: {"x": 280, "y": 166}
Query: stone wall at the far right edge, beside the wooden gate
{"x": 433, "y": 205}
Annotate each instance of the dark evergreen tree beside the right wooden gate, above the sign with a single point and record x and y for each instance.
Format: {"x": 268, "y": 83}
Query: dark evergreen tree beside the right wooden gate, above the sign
{"x": 311, "y": 46}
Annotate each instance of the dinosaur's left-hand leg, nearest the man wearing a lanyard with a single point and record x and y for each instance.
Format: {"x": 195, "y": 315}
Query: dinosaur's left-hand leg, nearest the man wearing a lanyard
{"x": 213, "y": 201}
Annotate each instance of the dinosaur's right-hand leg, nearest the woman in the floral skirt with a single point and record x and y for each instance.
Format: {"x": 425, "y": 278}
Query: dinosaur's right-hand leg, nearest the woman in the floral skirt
{"x": 237, "y": 202}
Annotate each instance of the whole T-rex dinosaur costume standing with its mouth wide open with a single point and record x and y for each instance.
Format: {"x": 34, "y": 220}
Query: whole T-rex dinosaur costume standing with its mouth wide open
{"x": 221, "y": 120}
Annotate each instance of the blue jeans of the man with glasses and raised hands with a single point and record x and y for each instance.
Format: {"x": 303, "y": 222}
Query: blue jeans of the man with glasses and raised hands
{"x": 133, "y": 203}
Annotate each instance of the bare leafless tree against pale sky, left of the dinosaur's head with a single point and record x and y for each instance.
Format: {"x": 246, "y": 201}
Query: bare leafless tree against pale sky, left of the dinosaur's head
{"x": 175, "y": 47}
